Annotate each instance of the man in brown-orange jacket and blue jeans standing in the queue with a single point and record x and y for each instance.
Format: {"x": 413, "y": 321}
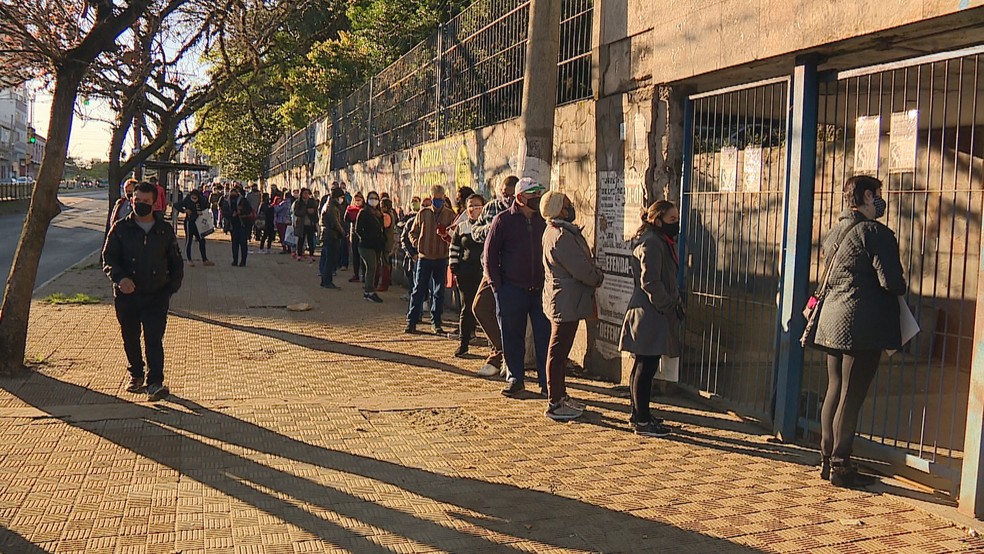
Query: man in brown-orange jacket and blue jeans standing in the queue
{"x": 429, "y": 235}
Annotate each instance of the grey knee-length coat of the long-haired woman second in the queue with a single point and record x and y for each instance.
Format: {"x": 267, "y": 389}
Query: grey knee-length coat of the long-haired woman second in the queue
{"x": 651, "y": 326}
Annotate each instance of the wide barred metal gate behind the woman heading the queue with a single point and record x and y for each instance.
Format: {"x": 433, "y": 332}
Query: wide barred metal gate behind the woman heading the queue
{"x": 916, "y": 126}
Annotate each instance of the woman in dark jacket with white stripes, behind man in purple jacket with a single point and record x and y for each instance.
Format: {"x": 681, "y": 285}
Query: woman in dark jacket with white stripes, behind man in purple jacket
{"x": 466, "y": 265}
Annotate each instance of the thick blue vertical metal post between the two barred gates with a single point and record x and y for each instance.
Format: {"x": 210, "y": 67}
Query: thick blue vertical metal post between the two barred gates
{"x": 800, "y": 185}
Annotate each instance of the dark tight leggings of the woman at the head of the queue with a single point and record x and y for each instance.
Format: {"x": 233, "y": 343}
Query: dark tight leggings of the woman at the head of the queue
{"x": 849, "y": 375}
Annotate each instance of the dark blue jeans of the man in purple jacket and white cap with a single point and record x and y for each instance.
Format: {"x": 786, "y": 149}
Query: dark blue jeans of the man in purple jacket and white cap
{"x": 513, "y": 306}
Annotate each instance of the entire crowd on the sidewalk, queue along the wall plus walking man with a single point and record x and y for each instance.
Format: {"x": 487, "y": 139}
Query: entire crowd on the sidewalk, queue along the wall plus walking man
{"x": 520, "y": 258}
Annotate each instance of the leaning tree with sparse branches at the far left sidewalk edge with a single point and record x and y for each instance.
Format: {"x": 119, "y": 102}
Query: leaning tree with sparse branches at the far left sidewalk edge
{"x": 58, "y": 40}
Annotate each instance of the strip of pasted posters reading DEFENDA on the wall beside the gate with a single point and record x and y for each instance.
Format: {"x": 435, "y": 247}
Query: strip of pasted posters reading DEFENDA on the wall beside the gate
{"x": 614, "y": 256}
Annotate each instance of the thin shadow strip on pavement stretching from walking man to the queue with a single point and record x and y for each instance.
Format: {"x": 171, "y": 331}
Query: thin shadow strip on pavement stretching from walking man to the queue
{"x": 329, "y": 346}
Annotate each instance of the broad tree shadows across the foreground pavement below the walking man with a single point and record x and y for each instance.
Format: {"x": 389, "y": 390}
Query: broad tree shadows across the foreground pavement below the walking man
{"x": 496, "y": 515}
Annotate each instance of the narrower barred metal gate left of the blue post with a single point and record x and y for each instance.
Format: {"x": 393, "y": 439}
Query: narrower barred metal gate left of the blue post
{"x": 732, "y": 208}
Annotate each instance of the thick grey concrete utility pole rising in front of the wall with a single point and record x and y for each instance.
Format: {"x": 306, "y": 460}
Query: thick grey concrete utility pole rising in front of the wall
{"x": 540, "y": 90}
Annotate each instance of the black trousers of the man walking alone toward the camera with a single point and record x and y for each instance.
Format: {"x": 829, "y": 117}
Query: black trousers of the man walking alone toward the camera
{"x": 146, "y": 312}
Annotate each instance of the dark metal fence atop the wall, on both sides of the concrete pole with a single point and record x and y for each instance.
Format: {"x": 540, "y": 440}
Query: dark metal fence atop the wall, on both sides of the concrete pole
{"x": 467, "y": 75}
